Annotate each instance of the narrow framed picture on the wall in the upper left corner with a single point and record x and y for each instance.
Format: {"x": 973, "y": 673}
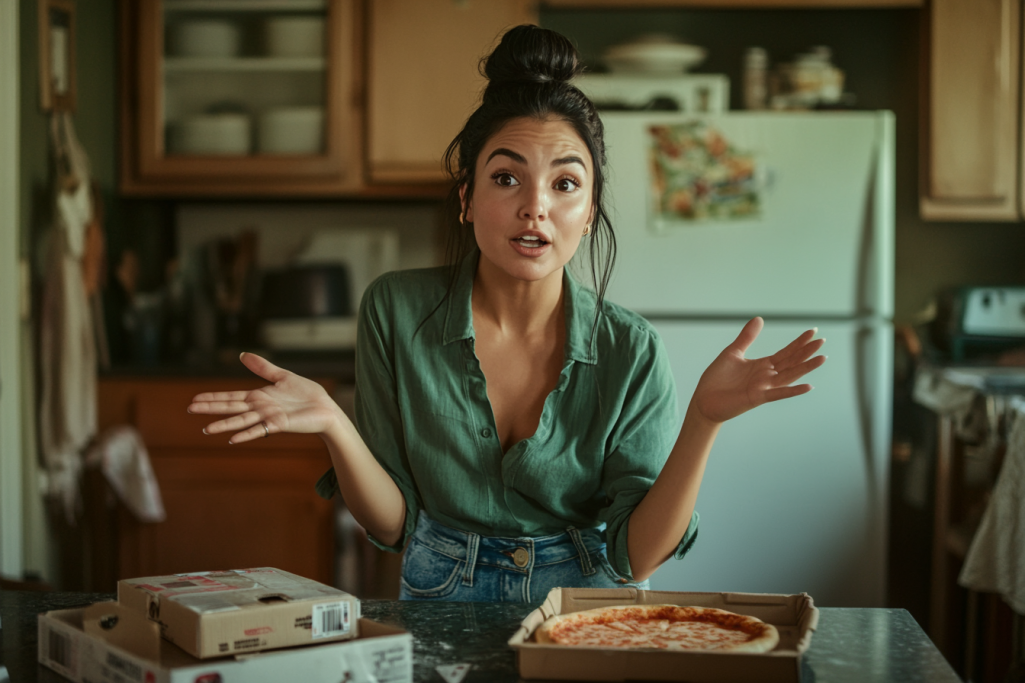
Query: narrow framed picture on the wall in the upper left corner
{"x": 57, "y": 55}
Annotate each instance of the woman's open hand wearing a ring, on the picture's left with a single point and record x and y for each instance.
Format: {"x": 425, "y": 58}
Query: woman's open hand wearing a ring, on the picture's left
{"x": 292, "y": 404}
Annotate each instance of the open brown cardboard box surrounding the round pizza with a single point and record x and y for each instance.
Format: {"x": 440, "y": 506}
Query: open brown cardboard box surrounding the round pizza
{"x": 794, "y": 616}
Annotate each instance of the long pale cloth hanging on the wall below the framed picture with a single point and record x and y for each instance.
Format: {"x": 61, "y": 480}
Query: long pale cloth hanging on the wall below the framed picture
{"x": 68, "y": 353}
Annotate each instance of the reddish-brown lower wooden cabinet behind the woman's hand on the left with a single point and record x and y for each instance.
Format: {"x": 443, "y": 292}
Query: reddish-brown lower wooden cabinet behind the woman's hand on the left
{"x": 228, "y": 506}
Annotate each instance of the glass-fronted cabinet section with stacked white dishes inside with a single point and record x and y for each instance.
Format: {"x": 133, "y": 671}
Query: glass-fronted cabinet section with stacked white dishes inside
{"x": 168, "y": 85}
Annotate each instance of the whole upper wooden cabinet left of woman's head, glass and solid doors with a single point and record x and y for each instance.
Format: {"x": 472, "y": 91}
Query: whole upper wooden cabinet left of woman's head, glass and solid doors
{"x": 284, "y": 98}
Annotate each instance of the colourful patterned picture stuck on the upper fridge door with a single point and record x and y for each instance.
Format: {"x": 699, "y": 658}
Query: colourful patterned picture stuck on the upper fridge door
{"x": 699, "y": 176}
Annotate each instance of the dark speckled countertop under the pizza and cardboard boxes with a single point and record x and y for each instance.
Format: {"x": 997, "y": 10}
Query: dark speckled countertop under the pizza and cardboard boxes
{"x": 850, "y": 646}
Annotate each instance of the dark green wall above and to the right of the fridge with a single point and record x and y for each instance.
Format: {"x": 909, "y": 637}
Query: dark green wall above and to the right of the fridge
{"x": 880, "y": 53}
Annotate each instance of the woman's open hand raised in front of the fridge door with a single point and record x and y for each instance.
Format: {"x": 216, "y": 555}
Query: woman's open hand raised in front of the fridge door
{"x": 733, "y": 385}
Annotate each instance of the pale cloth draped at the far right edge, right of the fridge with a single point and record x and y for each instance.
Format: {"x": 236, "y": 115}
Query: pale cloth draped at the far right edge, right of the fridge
{"x": 996, "y": 559}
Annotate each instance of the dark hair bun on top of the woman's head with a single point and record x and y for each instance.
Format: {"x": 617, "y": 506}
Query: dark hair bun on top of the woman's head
{"x": 530, "y": 55}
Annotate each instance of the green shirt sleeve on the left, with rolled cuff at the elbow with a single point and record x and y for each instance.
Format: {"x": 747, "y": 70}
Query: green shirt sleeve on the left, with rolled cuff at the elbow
{"x": 379, "y": 419}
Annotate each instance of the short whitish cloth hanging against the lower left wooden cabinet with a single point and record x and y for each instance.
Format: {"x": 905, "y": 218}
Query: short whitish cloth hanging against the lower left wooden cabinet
{"x": 126, "y": 463}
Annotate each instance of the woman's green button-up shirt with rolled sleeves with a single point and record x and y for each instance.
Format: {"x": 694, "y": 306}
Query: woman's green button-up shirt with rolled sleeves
{"x": 423, "y": 409}
